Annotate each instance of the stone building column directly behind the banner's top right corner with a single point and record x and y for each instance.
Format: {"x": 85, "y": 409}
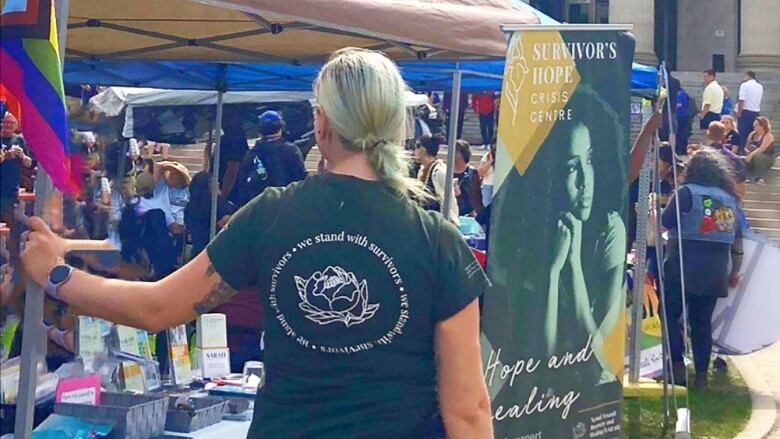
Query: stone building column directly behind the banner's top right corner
{"x": 640, "y": 13}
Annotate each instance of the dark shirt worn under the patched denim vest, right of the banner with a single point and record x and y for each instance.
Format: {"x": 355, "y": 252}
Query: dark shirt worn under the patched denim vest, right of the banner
{"x": 706, "y": 264}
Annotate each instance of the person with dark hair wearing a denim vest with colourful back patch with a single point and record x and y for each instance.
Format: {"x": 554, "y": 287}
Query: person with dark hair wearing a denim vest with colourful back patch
{"x": 711, "y": 231}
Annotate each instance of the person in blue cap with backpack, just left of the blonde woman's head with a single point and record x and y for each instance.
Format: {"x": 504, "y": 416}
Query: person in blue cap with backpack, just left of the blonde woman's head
{"x": 272, "y": 161}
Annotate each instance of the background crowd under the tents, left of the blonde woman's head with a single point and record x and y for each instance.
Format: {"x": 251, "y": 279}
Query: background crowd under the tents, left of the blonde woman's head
{"x": 144, "y": 204}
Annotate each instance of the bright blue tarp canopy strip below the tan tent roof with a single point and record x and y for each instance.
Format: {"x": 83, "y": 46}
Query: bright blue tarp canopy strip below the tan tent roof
{"x": 195, "y": 75}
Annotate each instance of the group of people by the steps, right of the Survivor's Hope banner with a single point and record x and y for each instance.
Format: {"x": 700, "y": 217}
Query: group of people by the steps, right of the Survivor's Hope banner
{"x": 705, "y": 234}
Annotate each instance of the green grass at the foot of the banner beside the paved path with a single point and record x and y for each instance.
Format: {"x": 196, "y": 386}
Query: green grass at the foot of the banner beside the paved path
{"x": 719, "y": 412}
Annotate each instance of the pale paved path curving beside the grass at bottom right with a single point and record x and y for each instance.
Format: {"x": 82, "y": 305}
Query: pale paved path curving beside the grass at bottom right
{"x": 761, "y": 372}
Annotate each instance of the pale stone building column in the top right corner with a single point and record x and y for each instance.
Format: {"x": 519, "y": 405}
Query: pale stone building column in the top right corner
{"x": 759, "y": 35}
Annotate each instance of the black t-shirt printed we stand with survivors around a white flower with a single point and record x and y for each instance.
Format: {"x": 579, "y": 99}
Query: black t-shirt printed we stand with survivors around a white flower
{"x": 354, "y": 278}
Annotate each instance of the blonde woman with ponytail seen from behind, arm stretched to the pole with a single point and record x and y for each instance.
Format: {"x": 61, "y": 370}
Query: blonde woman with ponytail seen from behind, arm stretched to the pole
{"x": 372, "y": 325}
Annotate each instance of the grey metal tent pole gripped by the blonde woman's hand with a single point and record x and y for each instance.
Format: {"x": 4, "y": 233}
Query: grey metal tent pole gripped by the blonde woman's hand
{"x": 34, "y": 337}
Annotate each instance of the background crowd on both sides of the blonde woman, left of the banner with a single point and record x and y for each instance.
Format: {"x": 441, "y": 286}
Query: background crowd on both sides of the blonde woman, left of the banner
{"x": 158, "y": 214}
